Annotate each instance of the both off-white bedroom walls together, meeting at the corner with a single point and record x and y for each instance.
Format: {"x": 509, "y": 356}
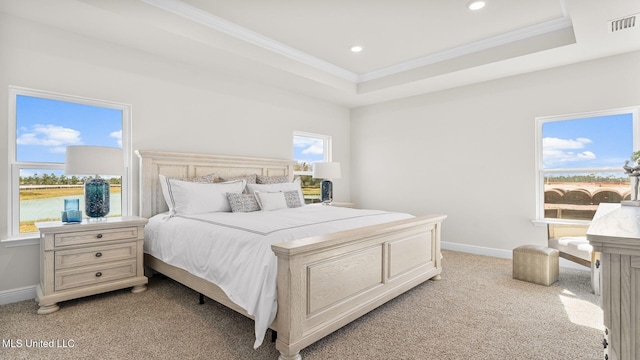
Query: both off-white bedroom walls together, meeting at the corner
{"x": 467, "y": 152}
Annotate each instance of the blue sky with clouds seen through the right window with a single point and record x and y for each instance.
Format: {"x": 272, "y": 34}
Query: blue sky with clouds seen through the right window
{"x": 603, "y": 141}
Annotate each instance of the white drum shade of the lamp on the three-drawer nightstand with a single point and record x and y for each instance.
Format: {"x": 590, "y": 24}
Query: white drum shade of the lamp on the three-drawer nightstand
{"x": 94, "y": 160}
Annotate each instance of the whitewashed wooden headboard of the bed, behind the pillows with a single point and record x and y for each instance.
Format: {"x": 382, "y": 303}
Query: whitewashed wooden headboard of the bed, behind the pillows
{"x": 184, "y": 165}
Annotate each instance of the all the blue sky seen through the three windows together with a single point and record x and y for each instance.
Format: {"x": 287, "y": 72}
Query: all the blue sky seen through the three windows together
{"x": 45, "y": 127}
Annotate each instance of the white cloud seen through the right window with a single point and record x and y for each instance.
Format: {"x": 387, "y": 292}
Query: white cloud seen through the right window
{"x": 559, "y": 151}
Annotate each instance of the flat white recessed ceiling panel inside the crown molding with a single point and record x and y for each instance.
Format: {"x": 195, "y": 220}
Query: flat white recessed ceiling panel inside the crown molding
{"x": 391, "y": 32}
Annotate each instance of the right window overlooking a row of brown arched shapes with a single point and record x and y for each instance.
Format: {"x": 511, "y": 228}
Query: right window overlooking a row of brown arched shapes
{"x": 579, "y": 162}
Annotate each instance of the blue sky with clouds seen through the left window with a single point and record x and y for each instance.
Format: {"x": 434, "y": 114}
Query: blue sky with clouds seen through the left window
{"x": 45, "y": 127}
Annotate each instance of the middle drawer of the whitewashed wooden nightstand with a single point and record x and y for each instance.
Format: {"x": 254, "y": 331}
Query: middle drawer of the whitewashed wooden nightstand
{"x": 94, "y": 255}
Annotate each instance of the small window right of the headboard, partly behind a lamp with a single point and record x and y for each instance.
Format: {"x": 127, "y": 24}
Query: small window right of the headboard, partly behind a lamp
{"x": 307, "y": 149}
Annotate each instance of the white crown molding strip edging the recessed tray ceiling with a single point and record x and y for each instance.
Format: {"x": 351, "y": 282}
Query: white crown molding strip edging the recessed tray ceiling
{"x": 194, "y": 14}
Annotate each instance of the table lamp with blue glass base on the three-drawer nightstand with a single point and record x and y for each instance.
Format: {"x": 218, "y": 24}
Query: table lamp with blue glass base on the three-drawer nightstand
{"x": 98, "y": 160}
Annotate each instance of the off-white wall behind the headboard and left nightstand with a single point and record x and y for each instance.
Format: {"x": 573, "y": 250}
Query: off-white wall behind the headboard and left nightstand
{"x": 176, "y": 107}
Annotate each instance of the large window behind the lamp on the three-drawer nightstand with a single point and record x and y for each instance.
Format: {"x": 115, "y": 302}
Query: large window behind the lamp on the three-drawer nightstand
{"x": 41, "y": 125}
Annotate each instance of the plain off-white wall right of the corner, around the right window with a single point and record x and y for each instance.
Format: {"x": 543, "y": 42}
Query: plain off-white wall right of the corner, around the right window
{"x": 469, "y": 152}
